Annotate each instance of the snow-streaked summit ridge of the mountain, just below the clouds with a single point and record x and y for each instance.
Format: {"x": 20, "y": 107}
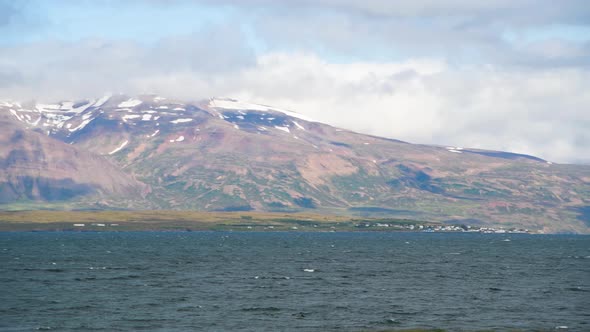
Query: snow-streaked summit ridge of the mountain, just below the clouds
{"x": 66, "y": 119}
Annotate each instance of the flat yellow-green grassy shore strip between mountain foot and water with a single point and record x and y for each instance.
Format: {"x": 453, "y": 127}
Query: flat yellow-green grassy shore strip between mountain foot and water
{"x": 188, "y": 221}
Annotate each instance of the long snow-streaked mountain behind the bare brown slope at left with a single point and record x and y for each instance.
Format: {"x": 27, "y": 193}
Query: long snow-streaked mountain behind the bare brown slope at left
{"x": 227, "y": 155}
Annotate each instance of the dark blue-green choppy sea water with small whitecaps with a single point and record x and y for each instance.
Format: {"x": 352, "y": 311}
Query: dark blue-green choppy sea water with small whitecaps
{"x": 230, "y": 281}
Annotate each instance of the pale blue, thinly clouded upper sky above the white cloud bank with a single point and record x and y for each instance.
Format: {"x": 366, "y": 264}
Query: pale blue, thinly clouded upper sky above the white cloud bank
{"x": 460, "y": 31}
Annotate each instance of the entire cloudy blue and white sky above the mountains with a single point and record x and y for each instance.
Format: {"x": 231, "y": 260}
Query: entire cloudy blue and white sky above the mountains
{"x": 510, "y": 75}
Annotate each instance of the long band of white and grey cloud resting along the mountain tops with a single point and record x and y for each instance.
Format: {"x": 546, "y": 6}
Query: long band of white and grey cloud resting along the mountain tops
{"x": 543, "y": 112}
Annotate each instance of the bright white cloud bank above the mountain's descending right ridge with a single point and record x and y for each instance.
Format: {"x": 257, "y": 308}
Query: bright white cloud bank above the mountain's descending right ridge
{"x": 537, "y": 112}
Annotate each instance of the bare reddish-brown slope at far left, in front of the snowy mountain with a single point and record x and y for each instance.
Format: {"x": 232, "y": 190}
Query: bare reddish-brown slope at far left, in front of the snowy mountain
{"x": 35, "y": 167}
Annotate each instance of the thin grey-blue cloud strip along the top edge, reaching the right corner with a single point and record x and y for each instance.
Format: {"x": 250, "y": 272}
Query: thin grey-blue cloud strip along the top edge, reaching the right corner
{"x": 505, "y": 12}
